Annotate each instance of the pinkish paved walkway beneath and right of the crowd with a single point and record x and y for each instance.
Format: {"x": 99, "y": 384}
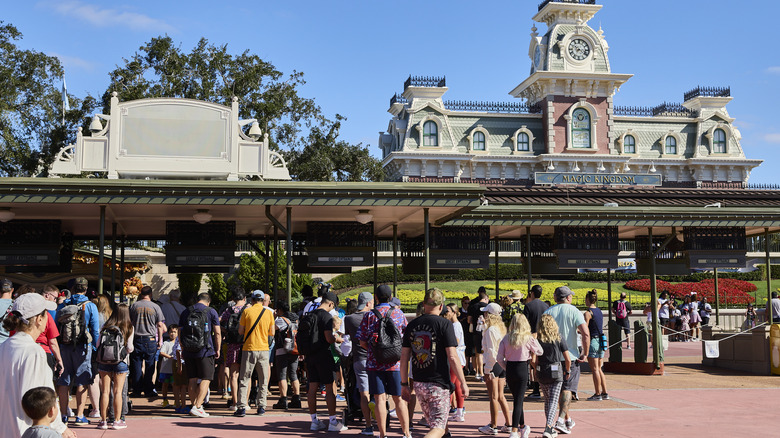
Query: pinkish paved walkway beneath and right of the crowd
{"x": 688, "y": 401}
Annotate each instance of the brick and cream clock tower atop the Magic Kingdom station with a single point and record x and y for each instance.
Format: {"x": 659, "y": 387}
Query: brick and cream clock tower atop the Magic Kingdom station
{"x": 571, "y": 79}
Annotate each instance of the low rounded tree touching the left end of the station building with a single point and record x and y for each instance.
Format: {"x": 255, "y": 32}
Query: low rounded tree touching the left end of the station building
{"x": 325, "y": 158}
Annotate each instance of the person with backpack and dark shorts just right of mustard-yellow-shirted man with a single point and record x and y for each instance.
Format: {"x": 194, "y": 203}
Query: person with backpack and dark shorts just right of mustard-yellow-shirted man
{"x": 286, "y": 360}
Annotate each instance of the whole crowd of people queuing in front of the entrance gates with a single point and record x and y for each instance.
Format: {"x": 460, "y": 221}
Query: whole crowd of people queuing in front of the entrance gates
{"x": 62, "y": 345}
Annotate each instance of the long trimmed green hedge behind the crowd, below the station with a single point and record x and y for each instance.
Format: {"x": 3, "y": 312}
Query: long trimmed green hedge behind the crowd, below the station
{"x": 385, "y": 275}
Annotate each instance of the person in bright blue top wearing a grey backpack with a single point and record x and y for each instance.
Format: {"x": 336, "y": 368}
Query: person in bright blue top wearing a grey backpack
{"x": 79, "y": 327}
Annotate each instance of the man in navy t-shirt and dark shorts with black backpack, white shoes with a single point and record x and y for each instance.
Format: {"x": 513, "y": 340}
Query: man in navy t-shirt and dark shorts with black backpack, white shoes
{"x": 200, "y": 341}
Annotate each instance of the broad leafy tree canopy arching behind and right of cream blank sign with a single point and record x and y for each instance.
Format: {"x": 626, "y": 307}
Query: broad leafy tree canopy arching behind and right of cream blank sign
{"x": 211, "y": 73}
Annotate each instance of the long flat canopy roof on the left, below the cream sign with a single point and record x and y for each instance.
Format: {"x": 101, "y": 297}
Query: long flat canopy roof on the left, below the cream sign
{"x": 140, "y": 207}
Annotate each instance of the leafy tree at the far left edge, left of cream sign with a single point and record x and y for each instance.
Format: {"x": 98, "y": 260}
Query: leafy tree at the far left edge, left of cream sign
{"x": 31, "y": 108}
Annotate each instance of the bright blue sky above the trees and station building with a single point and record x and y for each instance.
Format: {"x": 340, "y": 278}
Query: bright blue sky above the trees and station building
{"x": 356, "y": 54}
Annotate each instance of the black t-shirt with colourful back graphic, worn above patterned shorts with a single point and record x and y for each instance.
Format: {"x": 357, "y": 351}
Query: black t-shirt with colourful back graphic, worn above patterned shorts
{"x": 429, "y": 336}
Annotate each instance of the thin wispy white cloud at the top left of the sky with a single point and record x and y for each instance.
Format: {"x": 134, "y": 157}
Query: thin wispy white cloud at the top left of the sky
{"x": 104, "y": 17}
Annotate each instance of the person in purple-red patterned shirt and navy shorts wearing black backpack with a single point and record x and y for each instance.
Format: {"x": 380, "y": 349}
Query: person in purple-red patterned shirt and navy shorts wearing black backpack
{"x": 380, "y": 333}
